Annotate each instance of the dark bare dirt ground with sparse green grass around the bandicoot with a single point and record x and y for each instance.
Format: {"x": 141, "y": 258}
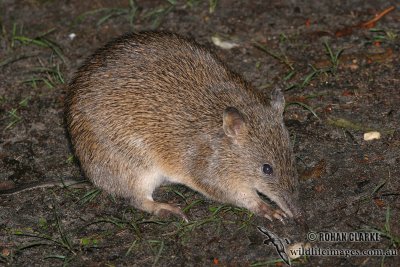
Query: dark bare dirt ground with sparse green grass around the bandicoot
{"x": 339, "y": 64}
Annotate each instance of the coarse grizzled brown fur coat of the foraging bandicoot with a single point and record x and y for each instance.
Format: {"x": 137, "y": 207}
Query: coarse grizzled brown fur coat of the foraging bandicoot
{"x": 151, "y": 108}
